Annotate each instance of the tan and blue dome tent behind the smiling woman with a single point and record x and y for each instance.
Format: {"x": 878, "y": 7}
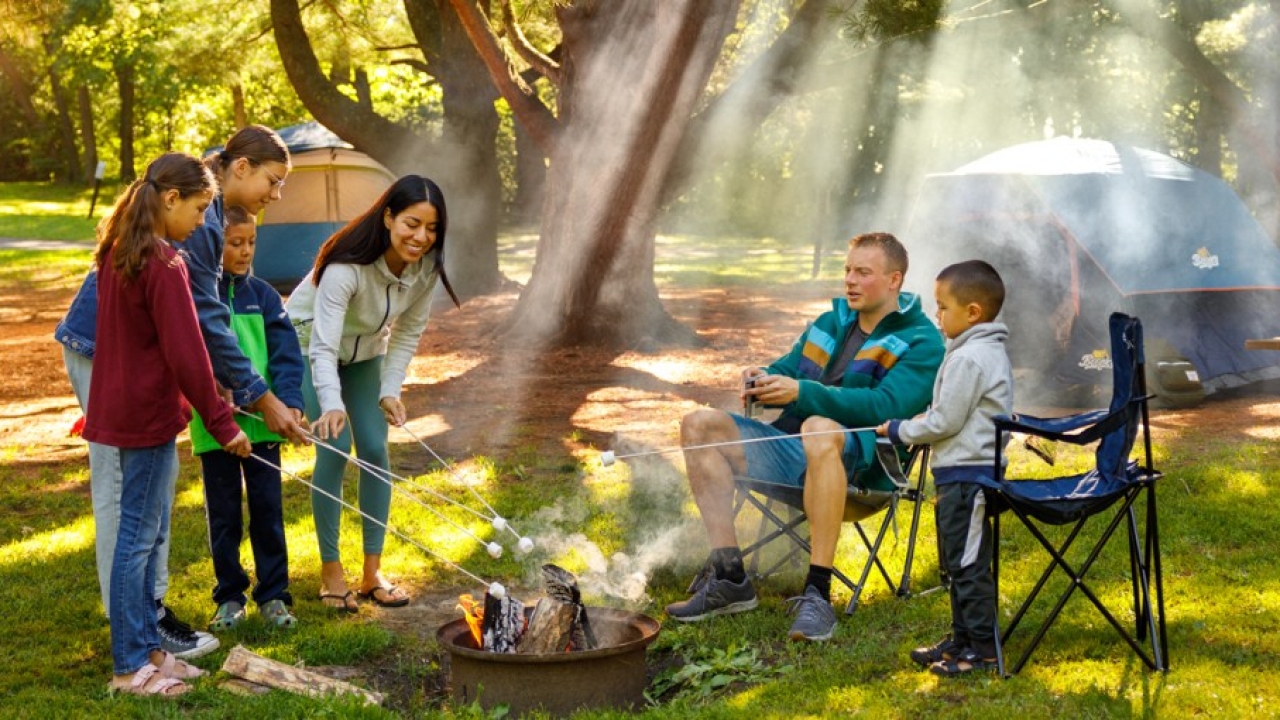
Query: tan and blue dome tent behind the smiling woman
{"x": 330, "y": 185}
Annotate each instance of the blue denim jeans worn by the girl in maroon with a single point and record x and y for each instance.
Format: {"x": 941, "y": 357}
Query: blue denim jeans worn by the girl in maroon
{"x": 147, "y": 500}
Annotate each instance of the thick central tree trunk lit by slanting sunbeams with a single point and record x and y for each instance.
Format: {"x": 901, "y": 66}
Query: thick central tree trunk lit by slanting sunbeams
{"x": 632, "y": 78}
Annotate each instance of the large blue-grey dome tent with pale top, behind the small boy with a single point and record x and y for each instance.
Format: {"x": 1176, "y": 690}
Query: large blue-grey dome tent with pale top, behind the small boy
{"x": 1081, "y": 229}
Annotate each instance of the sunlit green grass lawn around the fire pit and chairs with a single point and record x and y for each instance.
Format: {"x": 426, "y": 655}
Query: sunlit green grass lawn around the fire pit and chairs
{"x": 1219, "y": 511}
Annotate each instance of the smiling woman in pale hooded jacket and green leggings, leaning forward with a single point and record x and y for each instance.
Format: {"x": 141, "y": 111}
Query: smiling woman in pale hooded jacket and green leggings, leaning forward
{"x": 360, "y": 313}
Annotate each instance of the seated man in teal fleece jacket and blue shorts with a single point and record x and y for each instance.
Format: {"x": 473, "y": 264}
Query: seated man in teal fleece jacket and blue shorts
{"x": 871, "y": 359}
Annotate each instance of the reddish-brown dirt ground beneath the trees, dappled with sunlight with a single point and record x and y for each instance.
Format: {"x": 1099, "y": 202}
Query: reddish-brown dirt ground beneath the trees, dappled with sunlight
{"x": 468, "y": 398}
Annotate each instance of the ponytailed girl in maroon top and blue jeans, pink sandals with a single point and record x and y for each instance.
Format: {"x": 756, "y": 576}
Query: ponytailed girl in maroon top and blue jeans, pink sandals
{"x": 149, "y": 357}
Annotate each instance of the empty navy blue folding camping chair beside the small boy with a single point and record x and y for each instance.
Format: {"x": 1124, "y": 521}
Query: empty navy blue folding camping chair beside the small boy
{"x": 1116, "y": 484}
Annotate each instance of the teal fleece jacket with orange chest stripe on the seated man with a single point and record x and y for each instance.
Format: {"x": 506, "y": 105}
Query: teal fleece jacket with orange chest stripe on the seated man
{"x": 892, "y": 377}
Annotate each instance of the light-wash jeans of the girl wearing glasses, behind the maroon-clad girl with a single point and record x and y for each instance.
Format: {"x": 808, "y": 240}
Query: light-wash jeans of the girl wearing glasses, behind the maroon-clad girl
{"x": 104, "y": 487}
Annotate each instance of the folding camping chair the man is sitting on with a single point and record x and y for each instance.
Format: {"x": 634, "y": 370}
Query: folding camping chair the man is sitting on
{"x": 861, "y": 504}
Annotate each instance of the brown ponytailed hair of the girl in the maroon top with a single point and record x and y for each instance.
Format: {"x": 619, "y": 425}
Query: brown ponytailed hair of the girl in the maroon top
{"x": 136, "y": 225}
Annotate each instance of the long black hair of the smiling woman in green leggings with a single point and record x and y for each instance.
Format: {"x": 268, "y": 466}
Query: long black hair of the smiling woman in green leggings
{"x": 367, "y": 239}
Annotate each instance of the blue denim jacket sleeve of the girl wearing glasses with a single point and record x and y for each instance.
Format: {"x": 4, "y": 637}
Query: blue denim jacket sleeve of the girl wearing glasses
{"x": 203, "y": 253}
